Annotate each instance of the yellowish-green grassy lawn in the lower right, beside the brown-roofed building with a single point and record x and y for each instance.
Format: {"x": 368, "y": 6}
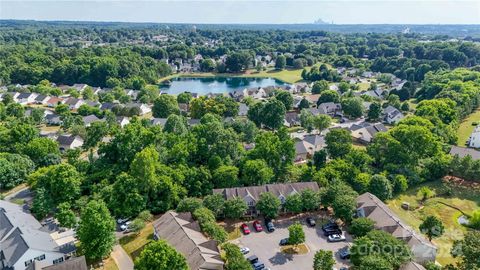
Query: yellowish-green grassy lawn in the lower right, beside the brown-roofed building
{"x": 463, "y": 198}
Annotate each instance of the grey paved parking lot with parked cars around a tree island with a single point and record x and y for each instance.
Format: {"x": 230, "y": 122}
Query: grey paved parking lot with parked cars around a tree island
{"x": 266, "y": 246}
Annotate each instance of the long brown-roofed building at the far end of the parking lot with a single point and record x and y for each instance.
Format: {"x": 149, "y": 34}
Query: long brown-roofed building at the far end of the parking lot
{"x": 251, "y": 195}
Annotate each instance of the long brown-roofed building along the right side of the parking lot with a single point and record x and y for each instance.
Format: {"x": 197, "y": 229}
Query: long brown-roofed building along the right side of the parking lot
{"x": 368, "y": 205}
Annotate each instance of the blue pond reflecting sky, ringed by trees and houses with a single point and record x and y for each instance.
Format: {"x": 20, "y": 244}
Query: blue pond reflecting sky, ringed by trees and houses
{"x": 203, "y": 86}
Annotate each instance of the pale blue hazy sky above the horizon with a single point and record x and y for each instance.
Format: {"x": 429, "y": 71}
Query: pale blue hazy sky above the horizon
{"x": 243, "y": 11}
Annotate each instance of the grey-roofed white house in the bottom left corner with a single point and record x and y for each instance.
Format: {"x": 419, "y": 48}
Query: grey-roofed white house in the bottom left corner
{"x": 23, "y": 240}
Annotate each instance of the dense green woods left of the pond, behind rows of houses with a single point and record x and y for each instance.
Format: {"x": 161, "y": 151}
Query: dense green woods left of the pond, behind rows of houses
{"x": 99, "y": 66}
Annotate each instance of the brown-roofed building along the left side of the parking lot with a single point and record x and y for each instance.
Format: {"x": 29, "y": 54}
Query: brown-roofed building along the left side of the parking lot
{"x": 184, "y": 234}
